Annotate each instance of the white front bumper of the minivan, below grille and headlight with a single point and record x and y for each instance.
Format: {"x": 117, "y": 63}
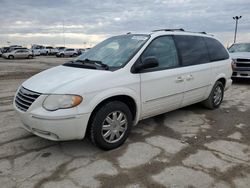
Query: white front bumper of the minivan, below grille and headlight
{"x": 58, "y": 125}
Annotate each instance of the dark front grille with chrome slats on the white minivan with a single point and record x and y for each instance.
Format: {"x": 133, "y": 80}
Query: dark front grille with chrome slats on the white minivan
{"x": 25, "y": 98}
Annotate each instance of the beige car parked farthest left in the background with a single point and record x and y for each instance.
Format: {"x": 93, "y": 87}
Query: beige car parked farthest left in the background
{"x": 18, "y": 54}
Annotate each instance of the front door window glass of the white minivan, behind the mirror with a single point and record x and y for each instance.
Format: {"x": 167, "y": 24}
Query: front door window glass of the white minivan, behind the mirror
{"x": 163, "y": 49}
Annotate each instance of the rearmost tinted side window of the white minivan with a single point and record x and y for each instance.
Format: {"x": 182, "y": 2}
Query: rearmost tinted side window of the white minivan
{"x": 216, "y": 50}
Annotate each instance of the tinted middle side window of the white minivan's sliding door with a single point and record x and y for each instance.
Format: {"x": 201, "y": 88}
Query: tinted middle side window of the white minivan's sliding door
{"x": 192, "y": 50}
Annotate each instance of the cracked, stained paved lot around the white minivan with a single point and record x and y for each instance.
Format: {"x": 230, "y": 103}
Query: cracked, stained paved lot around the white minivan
{"x": 190, "y": 147}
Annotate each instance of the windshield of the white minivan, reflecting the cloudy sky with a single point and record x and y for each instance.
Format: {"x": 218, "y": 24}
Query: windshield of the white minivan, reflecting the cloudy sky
{"x": 116, "y": 51}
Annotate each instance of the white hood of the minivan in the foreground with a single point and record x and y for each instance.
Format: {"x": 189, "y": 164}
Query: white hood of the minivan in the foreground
{"x": 51, "y": 79}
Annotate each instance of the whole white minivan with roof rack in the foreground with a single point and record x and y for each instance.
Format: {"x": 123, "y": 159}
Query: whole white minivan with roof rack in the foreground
{"x": 122, "y": 80}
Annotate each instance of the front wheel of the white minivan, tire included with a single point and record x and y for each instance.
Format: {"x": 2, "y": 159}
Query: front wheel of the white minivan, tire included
{"x": 102, "y": 124}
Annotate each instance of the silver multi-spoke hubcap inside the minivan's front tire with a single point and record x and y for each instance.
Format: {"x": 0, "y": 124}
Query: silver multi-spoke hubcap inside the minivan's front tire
{"x": 114, "y": 126}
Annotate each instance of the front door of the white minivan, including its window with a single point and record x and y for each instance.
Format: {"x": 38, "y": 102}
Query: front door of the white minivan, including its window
{"x": 161, "y": 87}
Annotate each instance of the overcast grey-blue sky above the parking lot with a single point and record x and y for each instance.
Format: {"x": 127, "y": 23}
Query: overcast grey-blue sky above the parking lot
{"x": 84, "y": 23}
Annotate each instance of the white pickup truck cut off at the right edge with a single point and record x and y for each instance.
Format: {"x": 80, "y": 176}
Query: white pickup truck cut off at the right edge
{"x": 240, "y": 53}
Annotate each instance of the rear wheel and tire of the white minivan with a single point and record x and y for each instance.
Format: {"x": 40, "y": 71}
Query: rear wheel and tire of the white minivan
{"x": 216, "y": 96}
